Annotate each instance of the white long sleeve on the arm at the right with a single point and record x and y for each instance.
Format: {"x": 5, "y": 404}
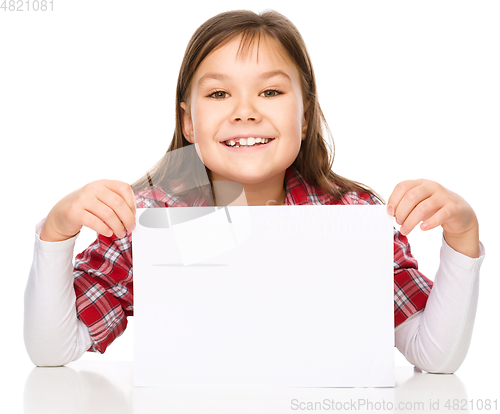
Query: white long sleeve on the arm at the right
{"x": 437, "y": 339}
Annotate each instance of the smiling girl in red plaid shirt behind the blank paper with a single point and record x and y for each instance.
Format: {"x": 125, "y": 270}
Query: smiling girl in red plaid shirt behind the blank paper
{"x": 246, "y": 95}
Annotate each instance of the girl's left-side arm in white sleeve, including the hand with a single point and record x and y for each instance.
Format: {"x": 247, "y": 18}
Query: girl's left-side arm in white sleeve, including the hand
{"x": 53, "y": 335}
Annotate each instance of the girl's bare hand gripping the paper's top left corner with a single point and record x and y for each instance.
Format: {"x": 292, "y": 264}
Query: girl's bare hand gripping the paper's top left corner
{"x": 105, "y": 206}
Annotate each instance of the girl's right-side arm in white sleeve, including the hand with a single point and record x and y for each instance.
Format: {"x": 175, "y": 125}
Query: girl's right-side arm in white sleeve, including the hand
{"x": 437, "y": 339}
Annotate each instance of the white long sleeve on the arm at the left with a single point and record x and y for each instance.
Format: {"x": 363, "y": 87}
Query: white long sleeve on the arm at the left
{"x": 52, "y": 333}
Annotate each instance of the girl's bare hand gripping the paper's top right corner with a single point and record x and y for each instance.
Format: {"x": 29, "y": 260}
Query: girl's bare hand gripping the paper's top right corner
{"x": 414, "y": 201}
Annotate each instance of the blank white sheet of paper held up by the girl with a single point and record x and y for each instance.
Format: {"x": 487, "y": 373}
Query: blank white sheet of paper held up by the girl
{"x": 299, "y": 296}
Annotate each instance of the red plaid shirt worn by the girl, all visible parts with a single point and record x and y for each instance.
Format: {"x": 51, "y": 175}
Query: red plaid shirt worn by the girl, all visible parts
{"x": 103, "y": 272}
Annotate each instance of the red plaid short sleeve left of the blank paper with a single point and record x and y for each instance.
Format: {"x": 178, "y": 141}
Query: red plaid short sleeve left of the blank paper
{"x": 103, "y": 288}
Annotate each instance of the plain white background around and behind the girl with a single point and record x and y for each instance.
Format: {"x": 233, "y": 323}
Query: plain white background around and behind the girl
{"x": 87, "y": 91}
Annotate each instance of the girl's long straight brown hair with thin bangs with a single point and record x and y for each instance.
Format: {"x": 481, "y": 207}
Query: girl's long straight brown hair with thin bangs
{"x": 314, "y": 162}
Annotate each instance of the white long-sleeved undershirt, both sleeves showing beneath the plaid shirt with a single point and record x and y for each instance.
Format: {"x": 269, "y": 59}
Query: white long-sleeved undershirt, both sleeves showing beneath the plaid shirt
{"x": 435, "y": 339}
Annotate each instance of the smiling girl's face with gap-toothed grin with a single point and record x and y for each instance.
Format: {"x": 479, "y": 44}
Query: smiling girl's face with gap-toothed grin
{"x": 247, "y": 96}
